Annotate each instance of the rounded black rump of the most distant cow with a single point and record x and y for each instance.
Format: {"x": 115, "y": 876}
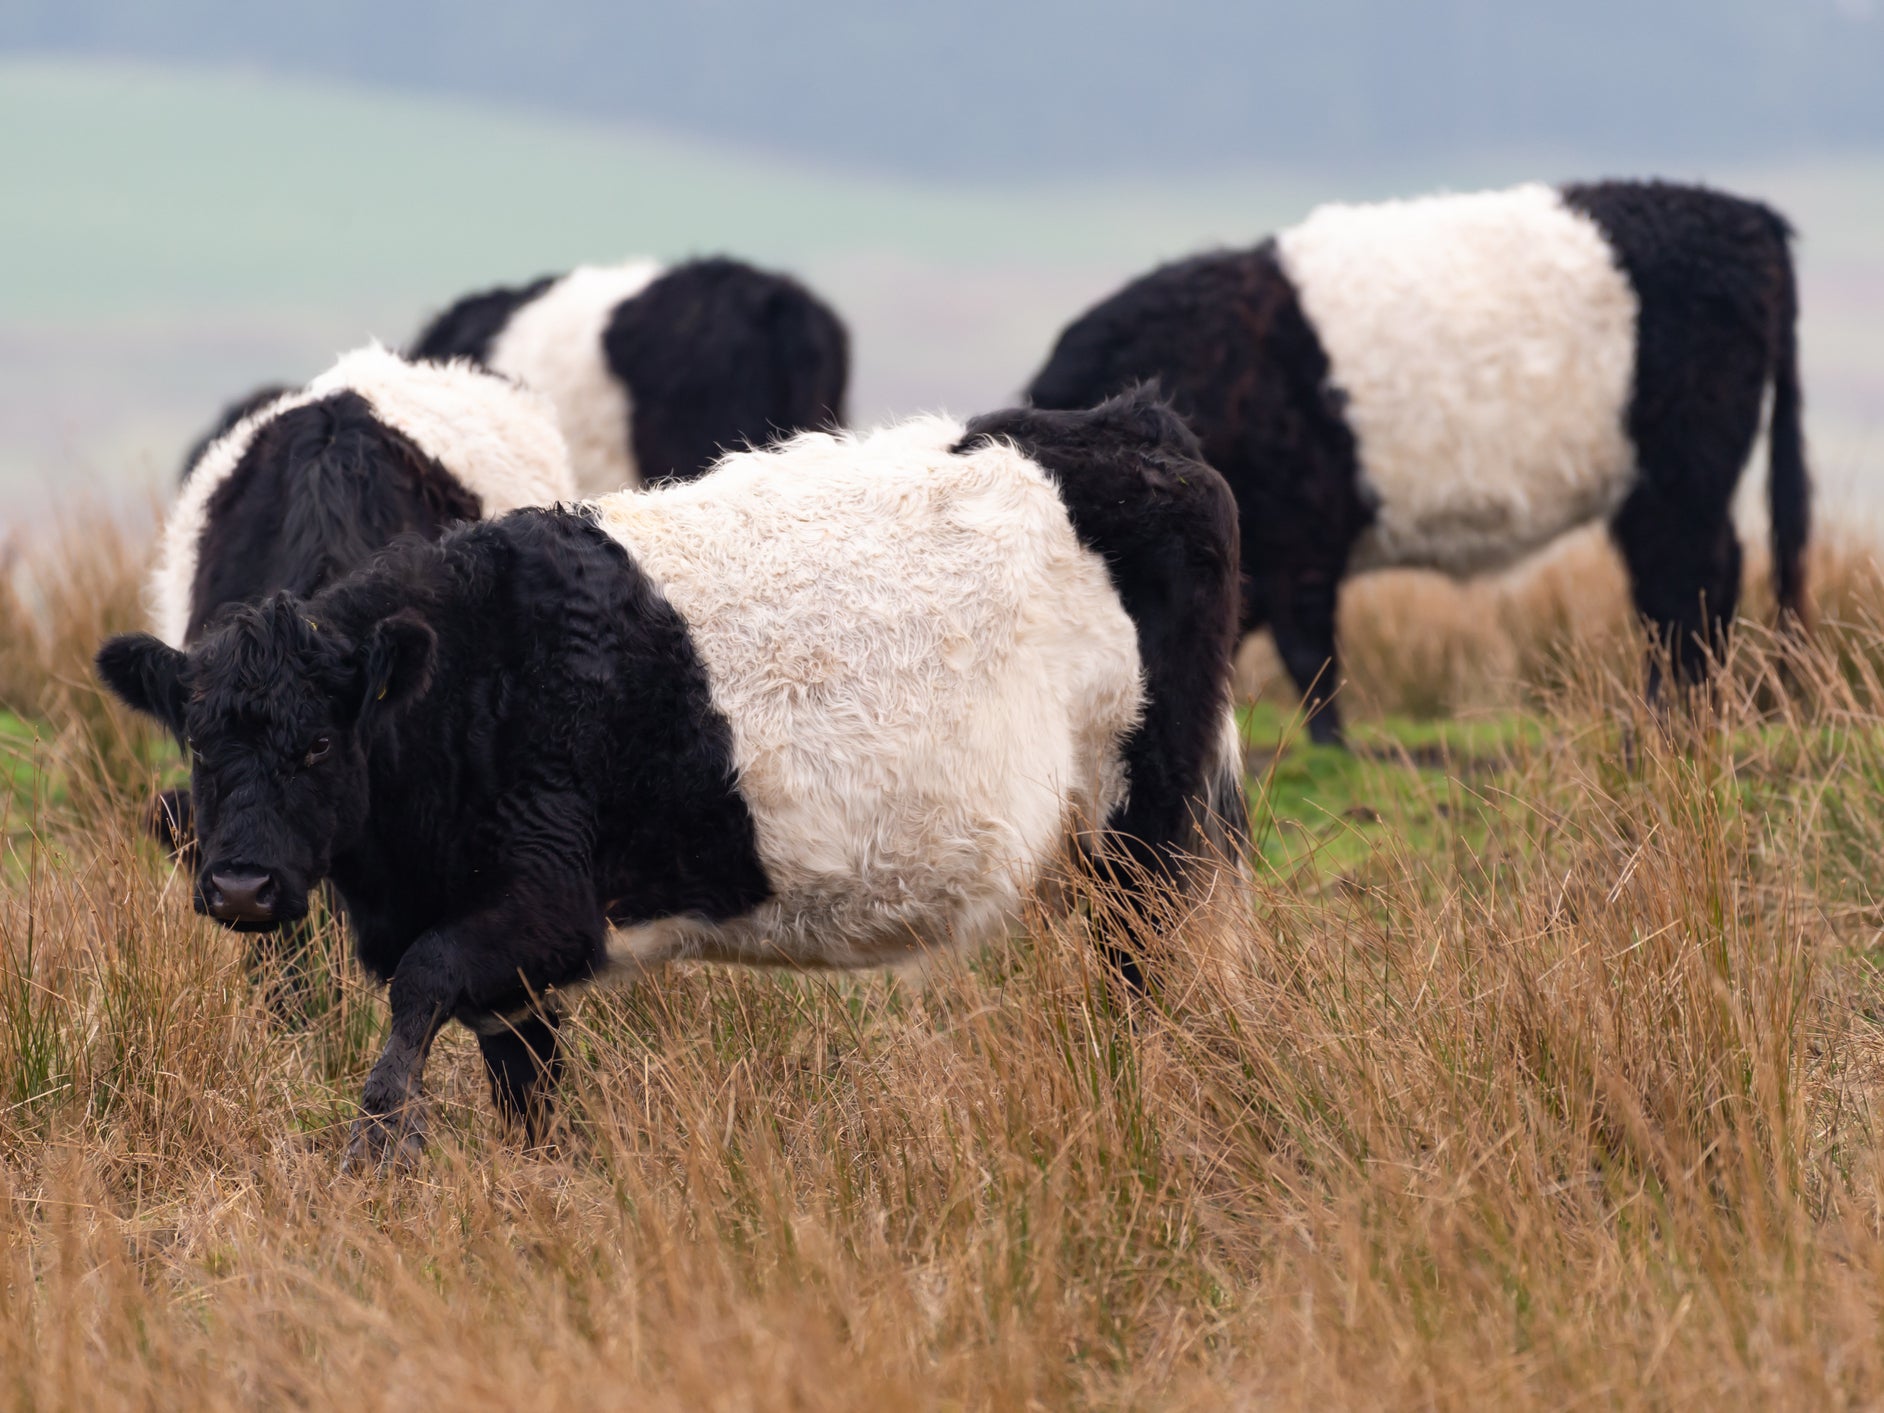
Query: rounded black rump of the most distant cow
{"x": 719, "y": 355}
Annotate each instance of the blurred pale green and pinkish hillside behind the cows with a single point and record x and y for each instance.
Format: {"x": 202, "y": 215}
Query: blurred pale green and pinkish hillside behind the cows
{"x": 176, "y": 236}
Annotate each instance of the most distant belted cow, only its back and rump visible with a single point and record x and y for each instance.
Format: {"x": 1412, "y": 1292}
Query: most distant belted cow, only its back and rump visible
{"x": 657, "y": 372}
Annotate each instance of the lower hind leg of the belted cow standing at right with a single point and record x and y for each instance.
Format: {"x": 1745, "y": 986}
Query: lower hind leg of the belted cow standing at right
{"x": 1685, "y": 577}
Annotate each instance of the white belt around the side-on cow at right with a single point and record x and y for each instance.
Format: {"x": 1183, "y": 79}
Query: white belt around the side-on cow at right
{"x": 1487, "y": 349}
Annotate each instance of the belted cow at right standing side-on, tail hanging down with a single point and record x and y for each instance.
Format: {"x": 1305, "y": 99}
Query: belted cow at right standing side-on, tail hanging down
{"x": 1455, "y": 382}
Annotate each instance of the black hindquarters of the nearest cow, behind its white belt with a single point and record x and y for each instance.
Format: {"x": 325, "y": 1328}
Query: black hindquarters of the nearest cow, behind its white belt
{"x": 1141, "y": 498}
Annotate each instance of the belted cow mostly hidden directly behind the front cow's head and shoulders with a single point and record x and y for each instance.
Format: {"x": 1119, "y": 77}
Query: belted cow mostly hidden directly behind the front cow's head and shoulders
{"x": 304, "y": 487}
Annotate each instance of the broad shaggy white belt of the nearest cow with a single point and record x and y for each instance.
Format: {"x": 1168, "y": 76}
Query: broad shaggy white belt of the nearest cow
{"x": 926, "y": 674}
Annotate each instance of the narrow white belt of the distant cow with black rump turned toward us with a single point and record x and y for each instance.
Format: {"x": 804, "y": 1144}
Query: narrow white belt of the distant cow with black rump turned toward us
{"x": 555, "y": 346}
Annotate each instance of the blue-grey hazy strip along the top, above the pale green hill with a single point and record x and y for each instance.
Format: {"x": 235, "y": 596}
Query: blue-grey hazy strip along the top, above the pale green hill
{"x": 1084, "y": 88}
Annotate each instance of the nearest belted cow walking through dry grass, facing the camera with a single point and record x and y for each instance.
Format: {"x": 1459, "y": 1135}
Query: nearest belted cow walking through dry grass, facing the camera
{"x": 841, "y": 702}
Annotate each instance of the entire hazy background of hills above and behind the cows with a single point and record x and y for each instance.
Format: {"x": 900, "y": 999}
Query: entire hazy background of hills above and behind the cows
{"x": 201, "y": 195}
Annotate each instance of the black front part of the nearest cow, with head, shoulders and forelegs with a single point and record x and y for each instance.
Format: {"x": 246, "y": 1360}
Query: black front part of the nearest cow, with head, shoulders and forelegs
{"x": 489, "y": 745}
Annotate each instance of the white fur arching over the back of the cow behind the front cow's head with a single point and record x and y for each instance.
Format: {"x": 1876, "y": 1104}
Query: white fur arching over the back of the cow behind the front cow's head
{"x": 498, "y": 440}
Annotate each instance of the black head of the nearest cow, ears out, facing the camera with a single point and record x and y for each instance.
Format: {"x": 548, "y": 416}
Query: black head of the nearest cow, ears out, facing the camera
{"x": 278, "y": 713}
